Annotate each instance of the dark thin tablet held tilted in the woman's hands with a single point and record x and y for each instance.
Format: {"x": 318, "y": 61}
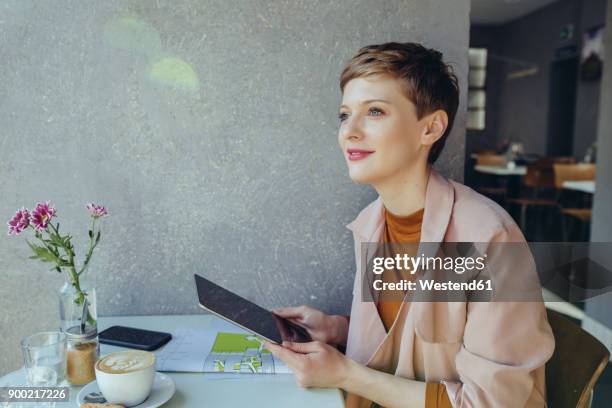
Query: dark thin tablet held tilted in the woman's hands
{"x": 246, "y": 314}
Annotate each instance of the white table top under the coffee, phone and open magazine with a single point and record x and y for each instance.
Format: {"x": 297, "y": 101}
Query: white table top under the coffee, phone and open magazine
{"x": 192, "y": 390}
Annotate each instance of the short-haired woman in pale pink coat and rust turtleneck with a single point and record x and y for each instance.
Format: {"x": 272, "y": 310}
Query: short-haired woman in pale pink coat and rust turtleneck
{"x": 398, "y": 106}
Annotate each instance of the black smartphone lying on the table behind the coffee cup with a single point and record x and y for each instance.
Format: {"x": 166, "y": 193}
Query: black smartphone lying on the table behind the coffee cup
{"x": 134, "y": 338}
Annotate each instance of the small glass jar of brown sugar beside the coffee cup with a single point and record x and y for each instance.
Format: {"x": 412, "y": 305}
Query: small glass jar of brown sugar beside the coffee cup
{"x": 82, "y": 352}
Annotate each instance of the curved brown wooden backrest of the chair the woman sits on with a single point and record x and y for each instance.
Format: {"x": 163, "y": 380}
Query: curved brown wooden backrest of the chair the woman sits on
{"x": 578, "y": 361}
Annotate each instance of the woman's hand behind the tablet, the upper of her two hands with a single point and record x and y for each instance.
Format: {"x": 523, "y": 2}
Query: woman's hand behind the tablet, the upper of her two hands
{"x": 320, "y": 326}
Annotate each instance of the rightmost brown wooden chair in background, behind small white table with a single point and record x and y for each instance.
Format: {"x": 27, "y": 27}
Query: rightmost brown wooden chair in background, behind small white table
{"x": 573, "y": 172}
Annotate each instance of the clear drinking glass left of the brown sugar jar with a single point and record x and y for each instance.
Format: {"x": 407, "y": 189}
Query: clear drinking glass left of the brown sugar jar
{"x": 44, "y": 357}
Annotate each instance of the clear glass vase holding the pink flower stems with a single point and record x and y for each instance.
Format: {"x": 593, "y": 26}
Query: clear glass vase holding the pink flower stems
{"x": 72, "y": 299}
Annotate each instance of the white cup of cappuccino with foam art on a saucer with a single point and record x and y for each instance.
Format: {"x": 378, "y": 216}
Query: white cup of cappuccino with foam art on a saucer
{"x": 126, "y": 377}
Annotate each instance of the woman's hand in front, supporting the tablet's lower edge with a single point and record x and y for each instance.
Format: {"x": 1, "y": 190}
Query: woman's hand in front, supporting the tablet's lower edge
{"x": 315, "y": 364}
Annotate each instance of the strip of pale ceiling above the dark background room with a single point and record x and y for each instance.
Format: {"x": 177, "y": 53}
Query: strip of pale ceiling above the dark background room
{"x": 502, "y": 11}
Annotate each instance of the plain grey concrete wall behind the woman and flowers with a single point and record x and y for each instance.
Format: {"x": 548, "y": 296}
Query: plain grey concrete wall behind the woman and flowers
{"x": 208, "y": 129}
